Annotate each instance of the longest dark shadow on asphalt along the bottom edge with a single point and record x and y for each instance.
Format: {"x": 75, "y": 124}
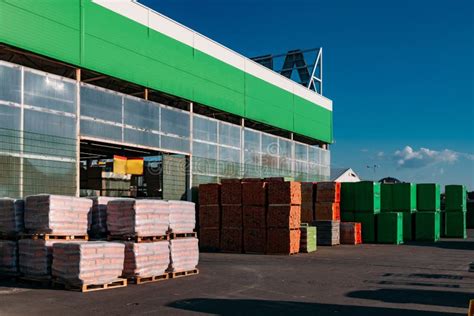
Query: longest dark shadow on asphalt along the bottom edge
{"x": 264, "y": 307}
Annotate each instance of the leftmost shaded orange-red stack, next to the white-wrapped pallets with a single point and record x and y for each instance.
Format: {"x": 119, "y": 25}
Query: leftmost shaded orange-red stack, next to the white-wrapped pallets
{"x": 209, "y": 216}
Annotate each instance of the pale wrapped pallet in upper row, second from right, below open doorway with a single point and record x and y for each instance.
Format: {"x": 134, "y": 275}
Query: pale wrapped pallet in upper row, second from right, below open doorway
{"x": 137, "y": 217}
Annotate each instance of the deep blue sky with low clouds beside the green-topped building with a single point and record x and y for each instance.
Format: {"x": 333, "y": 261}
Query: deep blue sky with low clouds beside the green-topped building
{"x": 400, "y": 74}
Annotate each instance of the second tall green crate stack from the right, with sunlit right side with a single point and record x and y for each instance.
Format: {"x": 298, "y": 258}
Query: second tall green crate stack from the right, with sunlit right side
{"x": 427, "y": 227}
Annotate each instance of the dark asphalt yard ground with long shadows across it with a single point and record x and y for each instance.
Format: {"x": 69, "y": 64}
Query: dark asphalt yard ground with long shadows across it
{"x": 371, "y": 279}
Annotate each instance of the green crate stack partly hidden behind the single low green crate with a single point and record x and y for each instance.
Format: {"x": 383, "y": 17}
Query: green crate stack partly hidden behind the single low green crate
{"x": 401, "y": 197}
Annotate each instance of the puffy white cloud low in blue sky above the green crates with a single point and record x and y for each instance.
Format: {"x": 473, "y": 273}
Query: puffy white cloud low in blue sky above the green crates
{"x": 410, "y": 158}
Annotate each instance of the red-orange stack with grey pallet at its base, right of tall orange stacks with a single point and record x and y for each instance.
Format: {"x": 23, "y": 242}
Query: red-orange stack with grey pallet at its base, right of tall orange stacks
{"x": 327, "y": 213}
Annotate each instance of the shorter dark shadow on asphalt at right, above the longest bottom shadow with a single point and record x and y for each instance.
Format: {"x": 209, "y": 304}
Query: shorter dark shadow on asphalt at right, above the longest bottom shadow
{"x": 413, "y": 296}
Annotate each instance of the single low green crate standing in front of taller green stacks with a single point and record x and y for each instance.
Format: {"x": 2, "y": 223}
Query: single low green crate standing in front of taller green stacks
{"x": 390, "y": 228}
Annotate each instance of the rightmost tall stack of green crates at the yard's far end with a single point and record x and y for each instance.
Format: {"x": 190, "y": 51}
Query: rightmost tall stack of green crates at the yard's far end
{"x": 456, "y": 209}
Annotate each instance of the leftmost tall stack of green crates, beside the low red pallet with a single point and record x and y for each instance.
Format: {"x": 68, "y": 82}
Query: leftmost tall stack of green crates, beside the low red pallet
{"x": 366, "y": 207}
